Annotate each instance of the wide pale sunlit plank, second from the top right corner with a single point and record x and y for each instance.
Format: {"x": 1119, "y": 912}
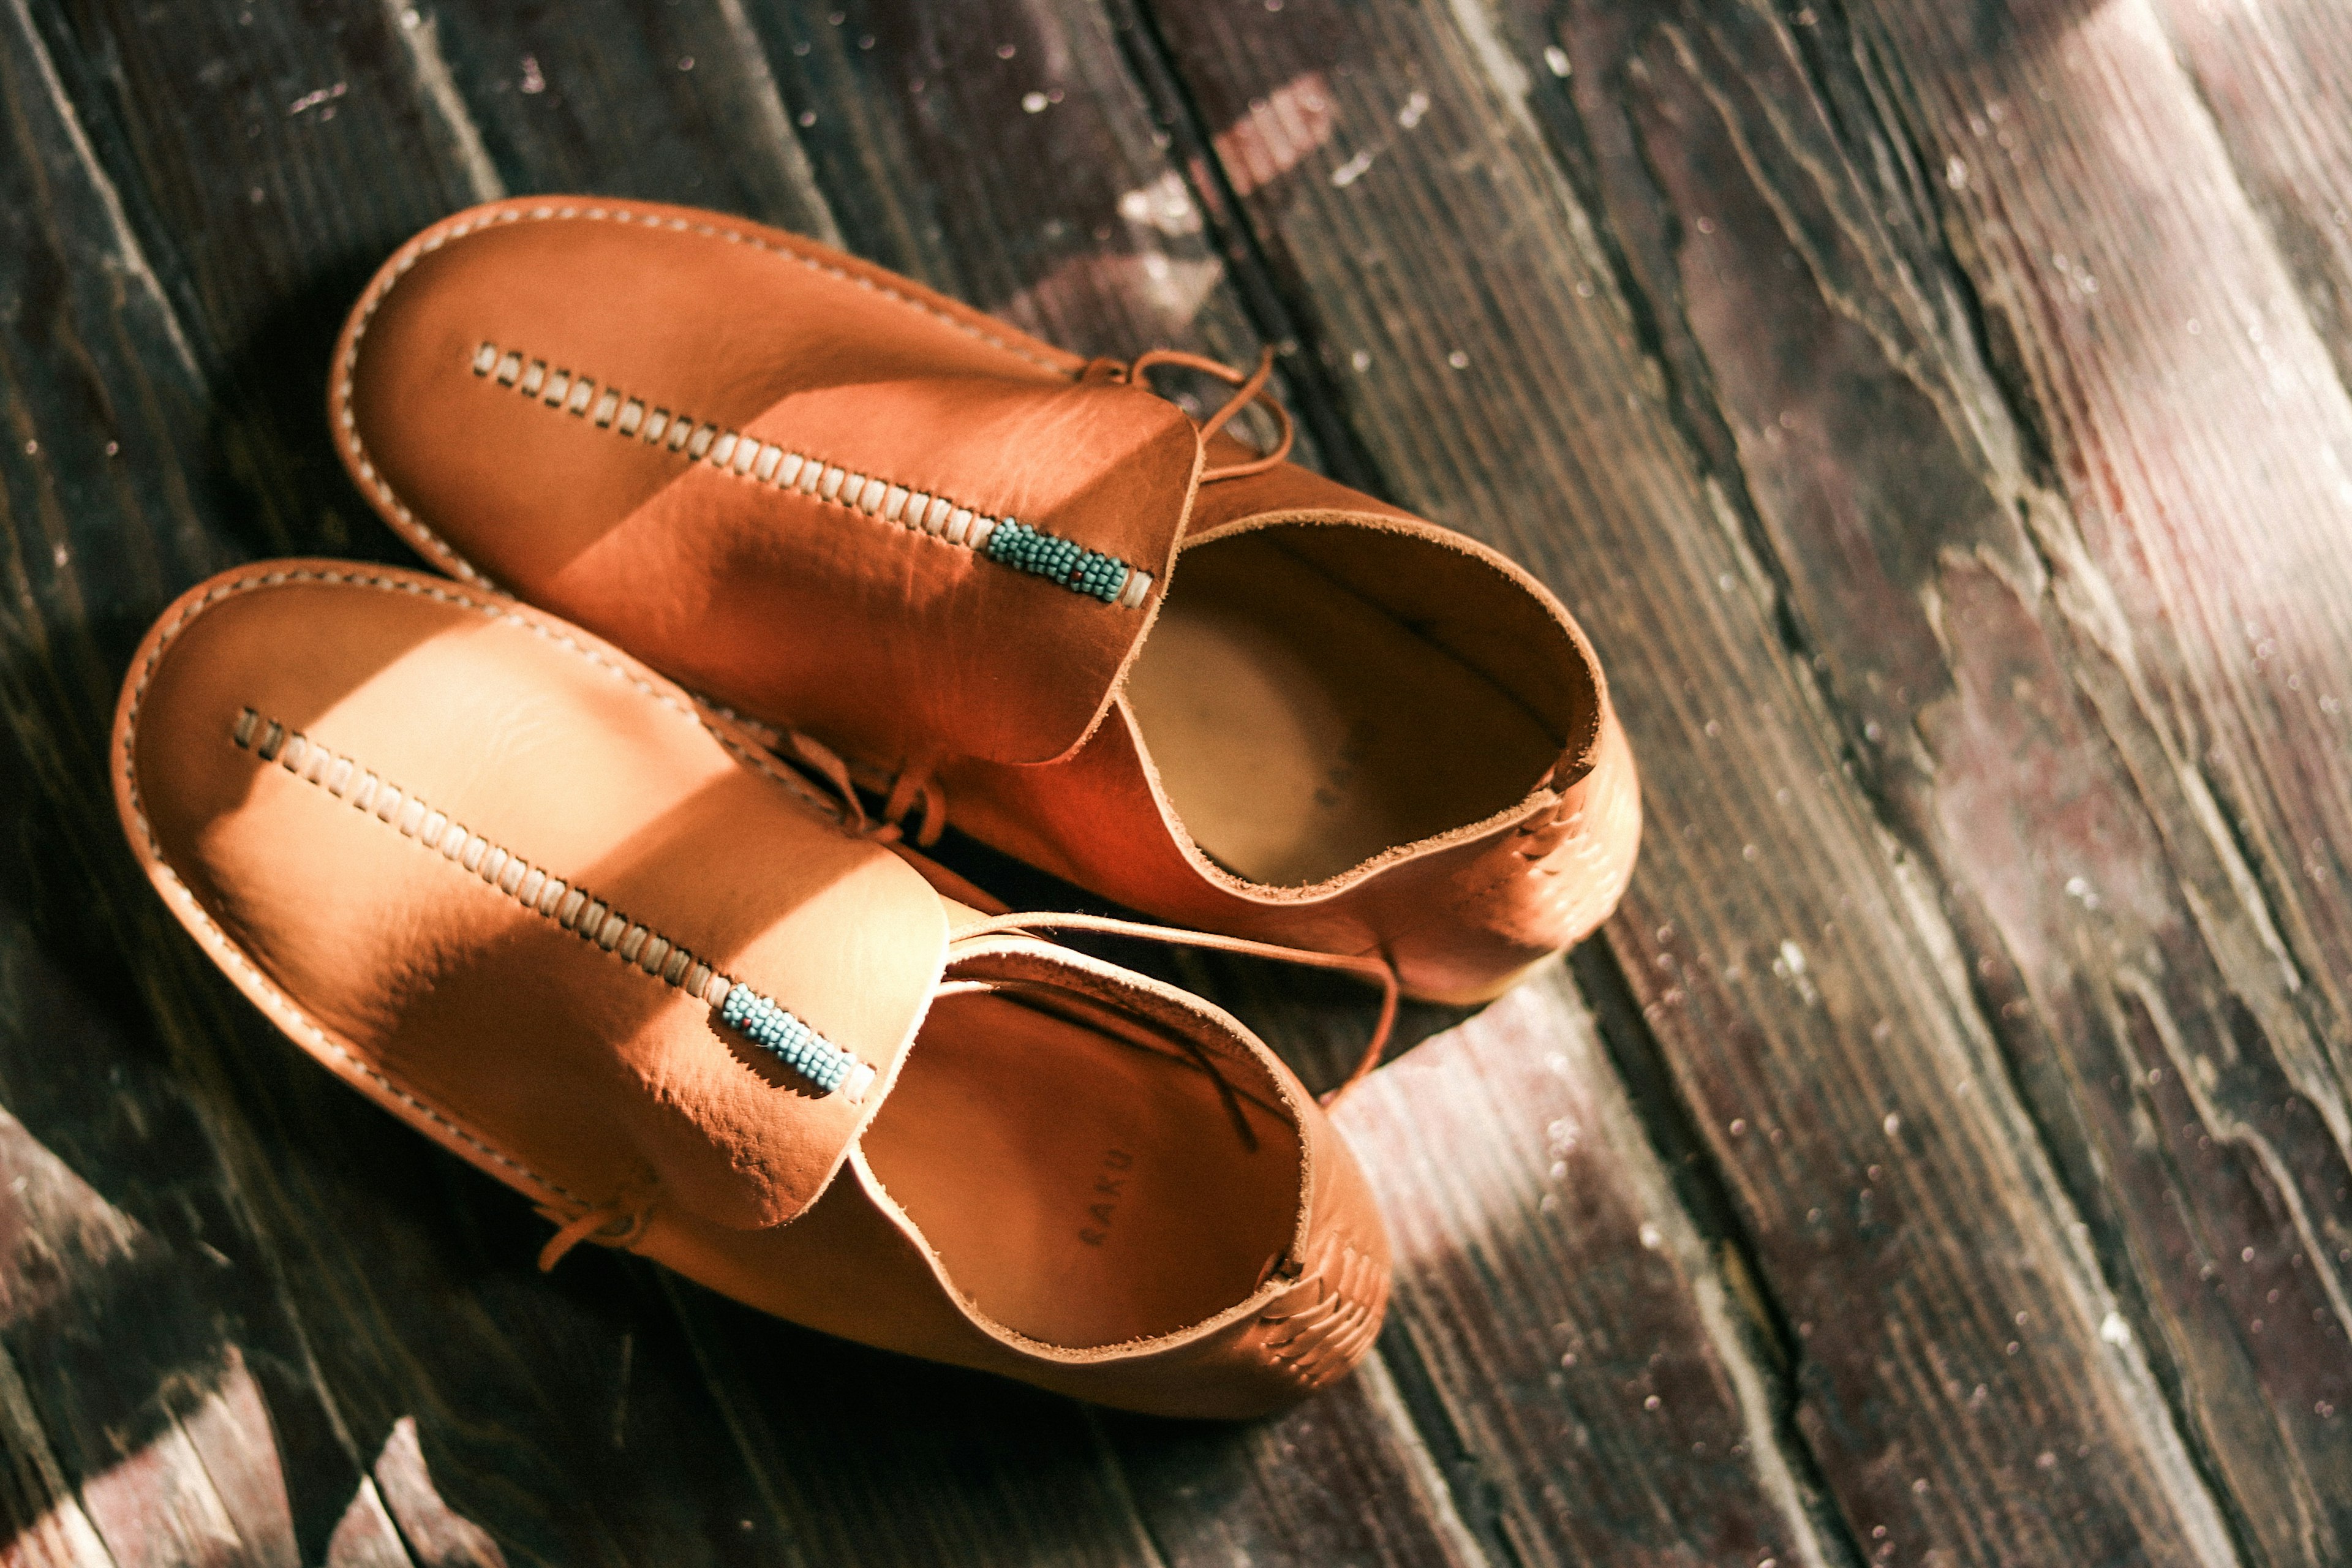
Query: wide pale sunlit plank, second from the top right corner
{"x": 2179, "y": 391}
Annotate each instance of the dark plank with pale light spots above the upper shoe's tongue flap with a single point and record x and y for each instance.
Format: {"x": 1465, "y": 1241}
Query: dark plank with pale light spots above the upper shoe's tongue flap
{"x": 1005, "y": 154}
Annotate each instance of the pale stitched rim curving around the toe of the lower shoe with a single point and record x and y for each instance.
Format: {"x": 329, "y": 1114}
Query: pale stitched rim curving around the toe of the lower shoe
{"x": 229, "y": 946}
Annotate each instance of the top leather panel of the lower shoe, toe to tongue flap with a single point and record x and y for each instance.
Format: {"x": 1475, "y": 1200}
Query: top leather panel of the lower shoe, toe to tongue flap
{"x": 528, "y": 892}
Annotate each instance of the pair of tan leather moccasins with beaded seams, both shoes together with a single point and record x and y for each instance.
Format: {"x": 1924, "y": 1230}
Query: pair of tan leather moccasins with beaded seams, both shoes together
{"x": 601, "y": 857}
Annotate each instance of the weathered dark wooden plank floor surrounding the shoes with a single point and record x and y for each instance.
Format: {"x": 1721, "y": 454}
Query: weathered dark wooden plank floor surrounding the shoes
{"x": 1937, "y": 415}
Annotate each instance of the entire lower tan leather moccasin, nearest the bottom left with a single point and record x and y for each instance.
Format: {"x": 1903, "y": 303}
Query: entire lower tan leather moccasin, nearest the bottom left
{"x": 580, "y": 930}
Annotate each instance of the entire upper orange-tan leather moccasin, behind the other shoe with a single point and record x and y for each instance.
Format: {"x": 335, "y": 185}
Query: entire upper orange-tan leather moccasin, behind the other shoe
{"x": 1001, "y": 582}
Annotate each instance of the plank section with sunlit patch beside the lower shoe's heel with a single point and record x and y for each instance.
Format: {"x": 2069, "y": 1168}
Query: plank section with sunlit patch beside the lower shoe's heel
{"x": 1568, "y": 1306}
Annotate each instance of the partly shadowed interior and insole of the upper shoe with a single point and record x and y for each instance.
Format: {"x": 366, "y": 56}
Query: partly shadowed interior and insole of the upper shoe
{"x": 1316, "y": 695}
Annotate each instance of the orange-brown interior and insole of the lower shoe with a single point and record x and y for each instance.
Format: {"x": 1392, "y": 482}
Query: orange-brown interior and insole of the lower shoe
{"x": 1085, "y": 1179}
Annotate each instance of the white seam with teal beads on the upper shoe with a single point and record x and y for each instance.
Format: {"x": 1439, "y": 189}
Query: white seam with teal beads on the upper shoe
{"x": 768, "y": 464}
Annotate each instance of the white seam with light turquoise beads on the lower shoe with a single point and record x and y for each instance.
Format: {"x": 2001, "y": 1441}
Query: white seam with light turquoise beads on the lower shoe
{"x": 570, "y": 906}
